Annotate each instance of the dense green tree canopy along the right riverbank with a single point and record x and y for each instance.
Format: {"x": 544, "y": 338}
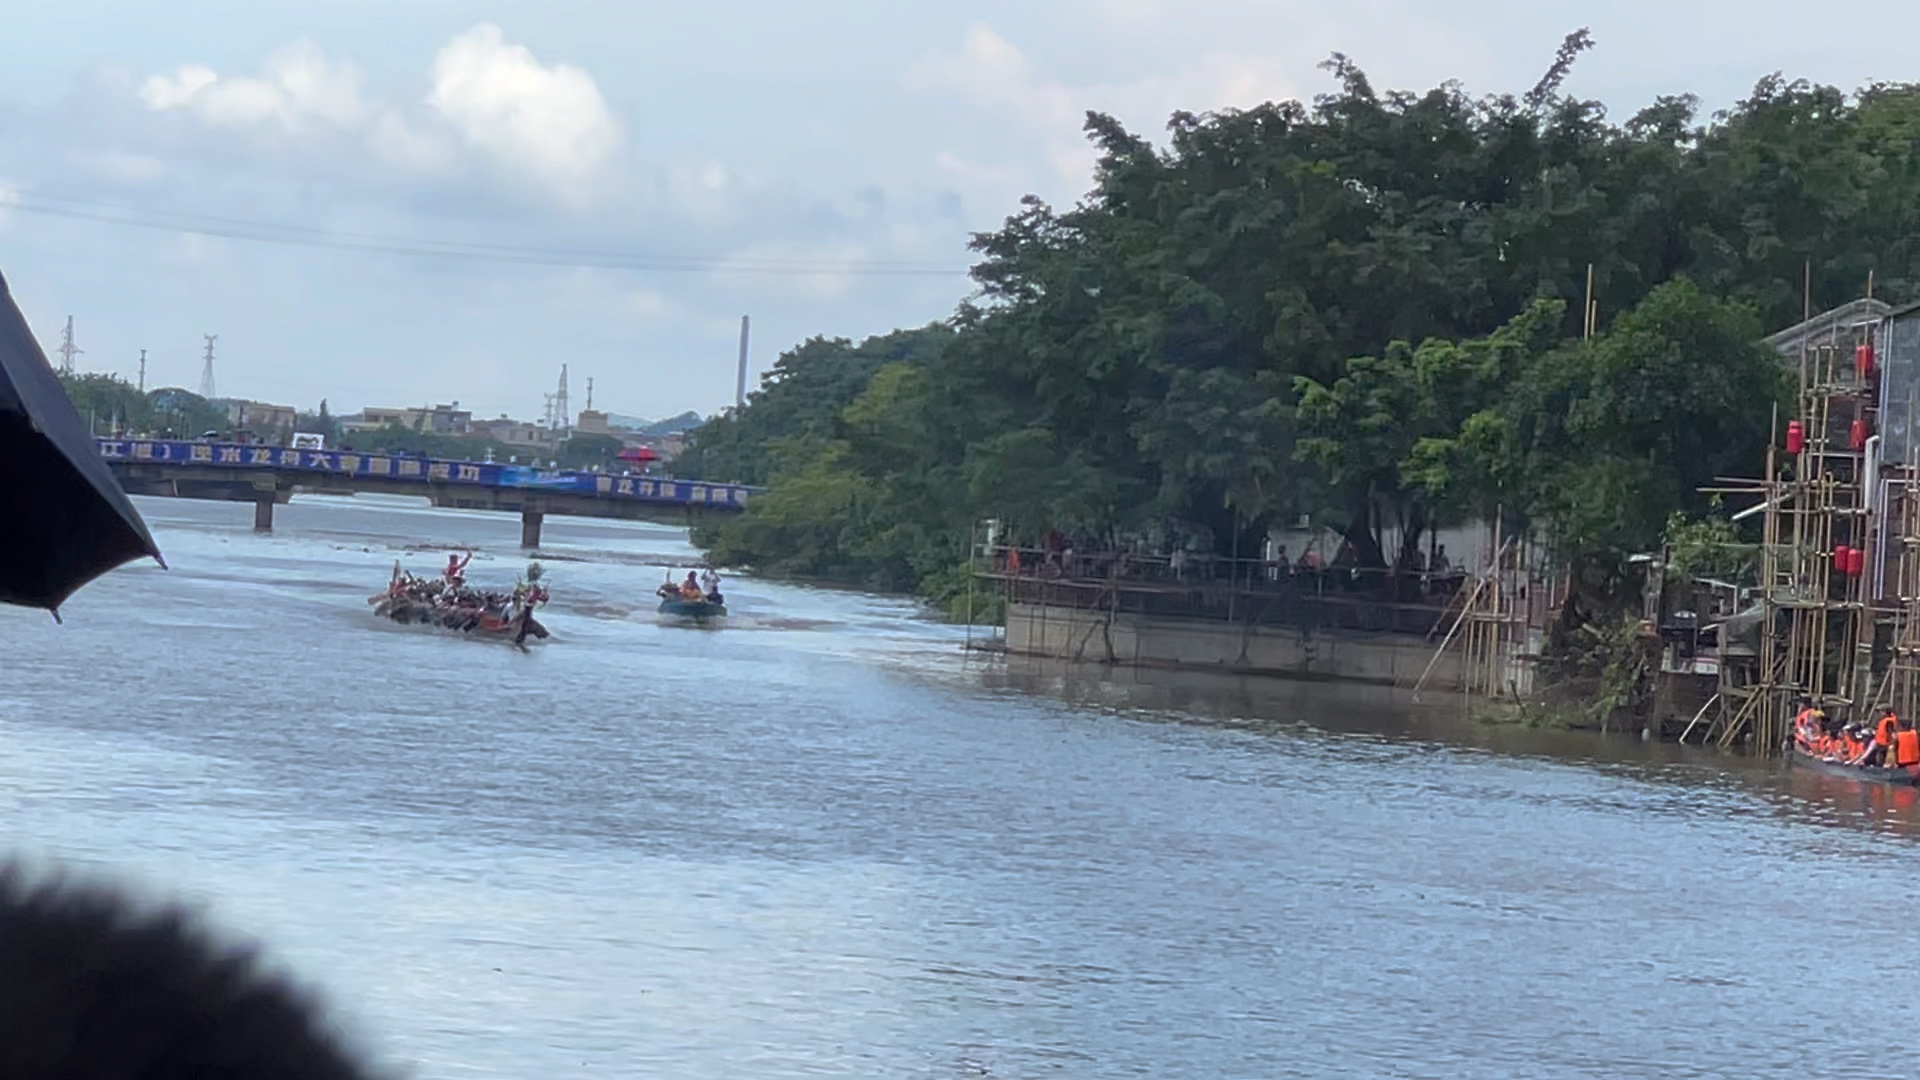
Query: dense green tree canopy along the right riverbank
{"x": 1368, "y": 308}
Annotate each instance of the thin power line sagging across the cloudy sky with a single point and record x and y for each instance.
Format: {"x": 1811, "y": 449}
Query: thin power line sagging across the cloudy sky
{"x": 573, "y": 258}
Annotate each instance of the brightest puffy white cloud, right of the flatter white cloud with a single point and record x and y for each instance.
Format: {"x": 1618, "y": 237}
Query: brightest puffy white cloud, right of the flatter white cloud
{"x": 550, "y": 122}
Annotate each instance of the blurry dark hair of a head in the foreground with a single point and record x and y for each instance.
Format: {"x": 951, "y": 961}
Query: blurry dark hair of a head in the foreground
{"x": 95, "y": 989}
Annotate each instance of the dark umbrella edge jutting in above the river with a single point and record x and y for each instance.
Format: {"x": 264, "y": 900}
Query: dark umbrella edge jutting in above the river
{"x": 68, "y": 520}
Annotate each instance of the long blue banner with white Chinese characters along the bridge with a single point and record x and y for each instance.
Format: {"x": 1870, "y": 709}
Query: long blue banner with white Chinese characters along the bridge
{"x": 421, "y": 470}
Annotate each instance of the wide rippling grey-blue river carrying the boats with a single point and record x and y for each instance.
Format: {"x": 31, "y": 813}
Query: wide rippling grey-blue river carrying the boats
{"x": 827, "y": 843}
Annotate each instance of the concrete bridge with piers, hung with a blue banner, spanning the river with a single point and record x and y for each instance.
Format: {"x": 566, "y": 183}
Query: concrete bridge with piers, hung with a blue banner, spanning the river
{"x": 268, "y": 476}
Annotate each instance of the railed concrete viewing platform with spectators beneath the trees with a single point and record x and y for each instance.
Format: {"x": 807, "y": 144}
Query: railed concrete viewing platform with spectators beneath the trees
{"x": 1404, "y": 627}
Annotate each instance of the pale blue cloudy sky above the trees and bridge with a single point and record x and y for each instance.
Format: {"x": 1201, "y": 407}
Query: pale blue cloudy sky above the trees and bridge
{"x": 827, "y": 147}
